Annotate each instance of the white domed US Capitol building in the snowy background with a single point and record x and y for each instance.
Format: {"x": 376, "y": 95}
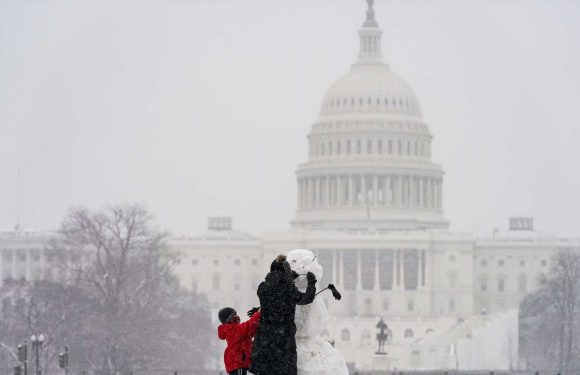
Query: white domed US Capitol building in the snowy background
{"x": 369, "y": 204}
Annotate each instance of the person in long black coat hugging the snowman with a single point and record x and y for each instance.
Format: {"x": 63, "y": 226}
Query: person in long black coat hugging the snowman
{"x": 274, "y": 349}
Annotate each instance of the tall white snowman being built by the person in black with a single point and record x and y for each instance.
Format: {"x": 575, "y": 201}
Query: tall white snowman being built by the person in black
{"x": 315, "y": 355}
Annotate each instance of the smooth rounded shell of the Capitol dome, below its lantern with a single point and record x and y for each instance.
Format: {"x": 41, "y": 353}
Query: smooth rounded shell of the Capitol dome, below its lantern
{"x": 370, "y": 88}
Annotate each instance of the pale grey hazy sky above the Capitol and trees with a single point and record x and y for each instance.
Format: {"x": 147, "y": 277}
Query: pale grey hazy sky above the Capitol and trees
{"x": 201, "y": 108}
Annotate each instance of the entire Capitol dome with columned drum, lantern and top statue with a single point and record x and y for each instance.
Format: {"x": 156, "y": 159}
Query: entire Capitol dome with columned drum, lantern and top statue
{"x": 369, "y": 164}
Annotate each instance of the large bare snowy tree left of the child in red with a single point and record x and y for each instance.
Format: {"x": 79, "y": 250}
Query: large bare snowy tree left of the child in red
{"x": 123, "y": 264}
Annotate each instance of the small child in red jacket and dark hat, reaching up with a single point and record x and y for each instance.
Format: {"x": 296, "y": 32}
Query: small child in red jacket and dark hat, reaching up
{"x": 239, "y": 339}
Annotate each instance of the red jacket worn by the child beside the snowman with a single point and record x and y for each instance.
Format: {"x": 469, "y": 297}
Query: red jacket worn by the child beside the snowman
{"x": 239, "y": 339}
